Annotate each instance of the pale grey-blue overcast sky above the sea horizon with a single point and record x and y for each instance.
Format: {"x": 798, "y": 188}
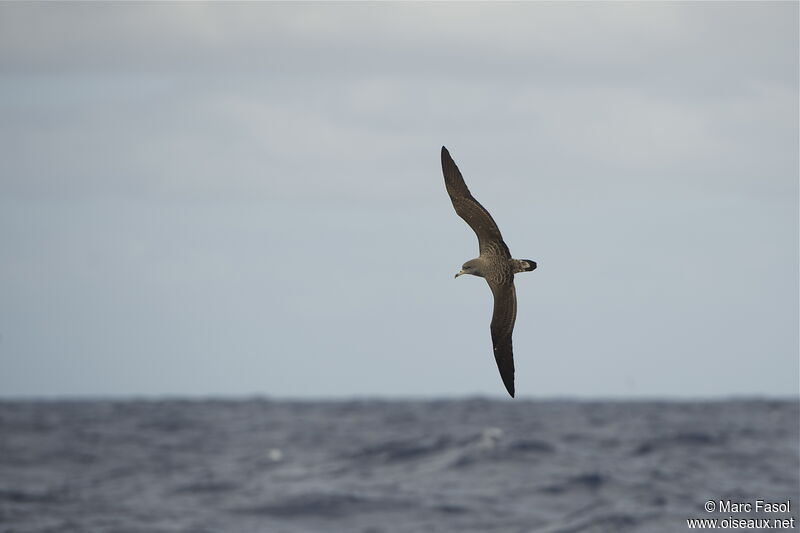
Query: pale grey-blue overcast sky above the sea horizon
{"x": 206, "y": 199}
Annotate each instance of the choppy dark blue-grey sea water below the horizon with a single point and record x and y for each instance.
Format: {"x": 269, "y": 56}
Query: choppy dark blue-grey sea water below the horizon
{"x": 391, "y": 466}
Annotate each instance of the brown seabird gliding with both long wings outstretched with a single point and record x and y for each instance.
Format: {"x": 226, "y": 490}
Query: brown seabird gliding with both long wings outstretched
{"x": 494, "y": 264}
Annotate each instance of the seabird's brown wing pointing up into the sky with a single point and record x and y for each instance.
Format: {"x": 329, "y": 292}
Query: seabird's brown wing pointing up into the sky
{"x": 489, "y": 238}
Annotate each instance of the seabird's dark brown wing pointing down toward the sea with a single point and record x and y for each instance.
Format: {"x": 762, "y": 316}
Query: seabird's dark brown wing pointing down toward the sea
{"x": 503, "y": 317}
